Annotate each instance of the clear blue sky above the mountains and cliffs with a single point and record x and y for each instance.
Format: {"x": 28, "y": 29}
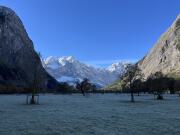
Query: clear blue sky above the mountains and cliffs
{"x": 98, "y": 32}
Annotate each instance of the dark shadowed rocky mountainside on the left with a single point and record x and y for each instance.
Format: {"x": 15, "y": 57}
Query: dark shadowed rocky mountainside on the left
{"x": 20, "y": 65}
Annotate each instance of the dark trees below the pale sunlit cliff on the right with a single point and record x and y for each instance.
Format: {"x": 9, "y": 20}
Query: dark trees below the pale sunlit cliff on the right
{"x": 157, "y": 84}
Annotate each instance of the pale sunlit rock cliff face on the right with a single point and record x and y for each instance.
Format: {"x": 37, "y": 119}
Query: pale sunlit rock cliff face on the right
{"x": 165, "y": 55}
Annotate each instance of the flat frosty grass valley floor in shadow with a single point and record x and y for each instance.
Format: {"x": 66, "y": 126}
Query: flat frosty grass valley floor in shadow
{"x": 96, "y": 114}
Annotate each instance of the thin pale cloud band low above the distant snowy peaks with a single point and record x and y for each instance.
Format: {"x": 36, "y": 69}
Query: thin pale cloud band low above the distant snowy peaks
{"x": 106, "y": 63}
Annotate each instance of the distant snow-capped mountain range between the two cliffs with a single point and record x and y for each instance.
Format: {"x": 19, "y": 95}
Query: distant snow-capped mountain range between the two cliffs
{"x": 68, "y": 69}
